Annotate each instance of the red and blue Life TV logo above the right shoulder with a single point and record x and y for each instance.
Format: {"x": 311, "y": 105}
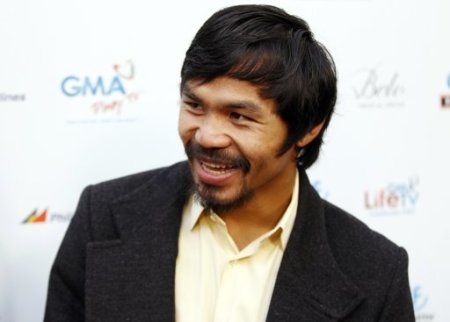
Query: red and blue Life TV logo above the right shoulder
{"x": 393, "y": 198}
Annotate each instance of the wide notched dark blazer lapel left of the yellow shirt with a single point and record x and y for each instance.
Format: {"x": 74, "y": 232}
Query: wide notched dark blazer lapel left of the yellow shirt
{"x": 132, "y": 278}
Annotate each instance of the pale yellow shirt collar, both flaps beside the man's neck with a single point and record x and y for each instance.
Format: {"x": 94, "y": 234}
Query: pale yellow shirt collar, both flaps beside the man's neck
{"x": 286, "y": 222}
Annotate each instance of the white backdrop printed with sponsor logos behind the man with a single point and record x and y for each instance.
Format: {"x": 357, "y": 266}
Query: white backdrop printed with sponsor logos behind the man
{"x": 89, "y": 92}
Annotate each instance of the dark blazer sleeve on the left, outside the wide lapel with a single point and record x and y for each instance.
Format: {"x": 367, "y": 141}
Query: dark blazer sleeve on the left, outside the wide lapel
{"x": 65, "y": 297}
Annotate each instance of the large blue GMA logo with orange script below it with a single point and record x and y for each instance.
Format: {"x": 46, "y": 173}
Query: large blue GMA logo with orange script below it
{"x": 106, "y": 94}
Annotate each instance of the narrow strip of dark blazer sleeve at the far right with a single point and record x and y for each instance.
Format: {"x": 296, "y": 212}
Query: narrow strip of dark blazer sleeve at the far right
{"x": 398, "y": 304}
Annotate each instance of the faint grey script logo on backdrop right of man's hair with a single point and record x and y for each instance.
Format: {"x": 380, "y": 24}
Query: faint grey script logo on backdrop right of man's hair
{"x": 378, "y": 88}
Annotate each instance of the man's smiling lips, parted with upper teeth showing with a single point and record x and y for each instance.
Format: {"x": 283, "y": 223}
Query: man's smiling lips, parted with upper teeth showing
{"x": 214, "y": 173}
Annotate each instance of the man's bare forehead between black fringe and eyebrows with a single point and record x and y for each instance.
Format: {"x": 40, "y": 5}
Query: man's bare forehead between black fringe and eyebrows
{"x": 225, "y": 90}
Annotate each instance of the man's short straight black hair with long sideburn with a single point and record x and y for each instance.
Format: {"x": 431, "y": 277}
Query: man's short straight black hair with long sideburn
{"x": 277, "y": 52}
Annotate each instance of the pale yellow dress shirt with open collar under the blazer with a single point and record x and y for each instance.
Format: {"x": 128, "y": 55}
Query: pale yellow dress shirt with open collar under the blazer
{"x": 217, "y": 282}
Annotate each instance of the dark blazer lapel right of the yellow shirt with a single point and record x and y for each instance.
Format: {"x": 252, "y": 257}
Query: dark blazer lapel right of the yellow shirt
{"x": 310, "y": 285}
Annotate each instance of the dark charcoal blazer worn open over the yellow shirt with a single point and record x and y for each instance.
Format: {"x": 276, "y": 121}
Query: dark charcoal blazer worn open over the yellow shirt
{"x": 117, "y": 259}
